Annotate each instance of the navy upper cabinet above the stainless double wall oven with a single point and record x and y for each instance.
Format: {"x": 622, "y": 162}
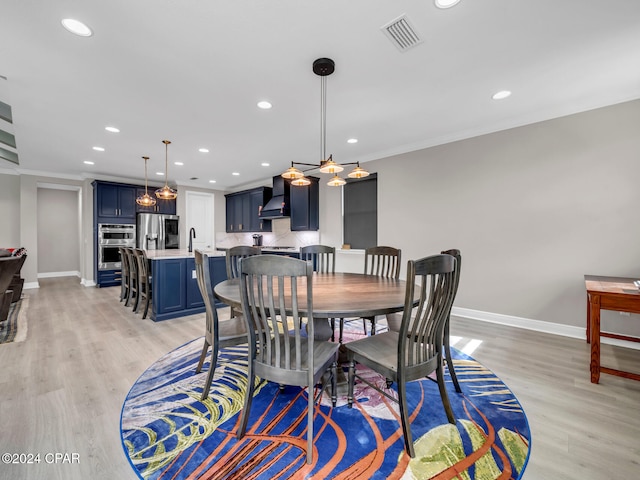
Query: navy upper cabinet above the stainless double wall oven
{"x": 114, "y": 202}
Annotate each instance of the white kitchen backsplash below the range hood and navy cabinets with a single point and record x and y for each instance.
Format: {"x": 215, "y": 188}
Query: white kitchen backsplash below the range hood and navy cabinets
{"x": 281, "y": 236}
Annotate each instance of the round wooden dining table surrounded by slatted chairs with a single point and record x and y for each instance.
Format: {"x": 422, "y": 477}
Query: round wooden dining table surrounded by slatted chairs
{"x": 338, "y": 295}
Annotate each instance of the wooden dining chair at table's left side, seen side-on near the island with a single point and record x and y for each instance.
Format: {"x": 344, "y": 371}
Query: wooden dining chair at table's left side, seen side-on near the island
{"x": 217, "y": 334}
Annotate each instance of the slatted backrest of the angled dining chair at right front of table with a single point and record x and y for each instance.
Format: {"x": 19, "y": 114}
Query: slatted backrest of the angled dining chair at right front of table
{"x": 421, "y": 332}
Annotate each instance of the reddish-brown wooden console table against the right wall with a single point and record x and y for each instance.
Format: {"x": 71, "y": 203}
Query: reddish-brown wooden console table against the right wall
{"x": 608, "y": 293}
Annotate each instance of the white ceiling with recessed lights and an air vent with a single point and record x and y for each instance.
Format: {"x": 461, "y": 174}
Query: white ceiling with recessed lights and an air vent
{"x": 192, "y": 71}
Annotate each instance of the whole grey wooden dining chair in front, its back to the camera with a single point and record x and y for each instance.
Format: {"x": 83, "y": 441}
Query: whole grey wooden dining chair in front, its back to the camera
{"x": 273, "y": 290}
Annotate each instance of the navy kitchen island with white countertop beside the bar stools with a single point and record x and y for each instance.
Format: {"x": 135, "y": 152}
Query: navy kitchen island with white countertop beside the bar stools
{"x": 174, "y": 286}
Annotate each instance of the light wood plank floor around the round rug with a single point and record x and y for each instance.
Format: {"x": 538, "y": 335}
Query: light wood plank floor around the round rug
{"x": 61, "y": 390}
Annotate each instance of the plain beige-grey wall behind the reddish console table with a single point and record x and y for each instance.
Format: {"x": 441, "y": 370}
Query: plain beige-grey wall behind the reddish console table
{"x": 532, "y": 209}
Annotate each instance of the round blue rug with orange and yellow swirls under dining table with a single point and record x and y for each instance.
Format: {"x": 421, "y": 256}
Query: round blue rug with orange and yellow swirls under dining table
{"x": 168, "y": 433}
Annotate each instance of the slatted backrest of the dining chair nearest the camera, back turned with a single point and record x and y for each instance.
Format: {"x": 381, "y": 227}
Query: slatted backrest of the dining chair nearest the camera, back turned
{"x": 271, "y": 285}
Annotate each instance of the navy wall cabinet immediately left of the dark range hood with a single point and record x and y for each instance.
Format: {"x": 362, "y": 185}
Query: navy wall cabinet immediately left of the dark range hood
{"x": 243, "y": 210}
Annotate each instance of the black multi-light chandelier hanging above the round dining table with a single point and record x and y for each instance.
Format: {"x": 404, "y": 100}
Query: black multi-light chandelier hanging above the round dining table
{"x": 323, "y": 67}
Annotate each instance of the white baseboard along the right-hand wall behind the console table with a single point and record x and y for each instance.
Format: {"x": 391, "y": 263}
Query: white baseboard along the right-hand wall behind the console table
{"x": 537, "y": 325}
